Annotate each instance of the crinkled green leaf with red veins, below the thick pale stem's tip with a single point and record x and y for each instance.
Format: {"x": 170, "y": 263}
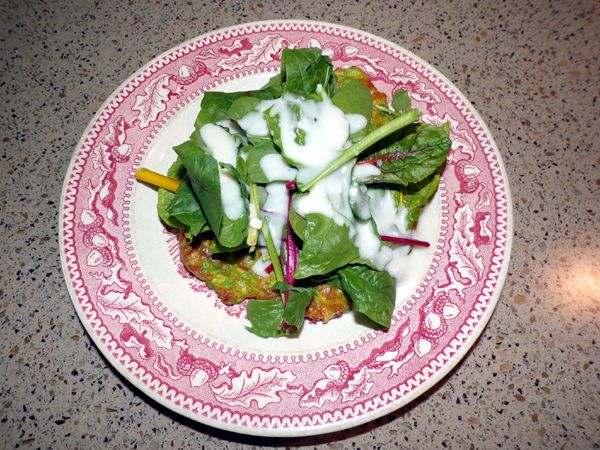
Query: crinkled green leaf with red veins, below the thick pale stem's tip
{"x": 415, "y": 157}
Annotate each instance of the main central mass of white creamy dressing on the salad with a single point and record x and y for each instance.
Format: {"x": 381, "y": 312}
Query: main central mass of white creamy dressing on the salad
{"x": 326, "y": 132}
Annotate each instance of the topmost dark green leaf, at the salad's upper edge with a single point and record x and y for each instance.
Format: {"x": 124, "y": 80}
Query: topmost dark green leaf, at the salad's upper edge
{"x": 305, "y": 68}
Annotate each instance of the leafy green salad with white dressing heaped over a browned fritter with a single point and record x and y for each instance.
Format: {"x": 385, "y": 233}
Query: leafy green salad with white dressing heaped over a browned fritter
{"x": 302, "y": 196}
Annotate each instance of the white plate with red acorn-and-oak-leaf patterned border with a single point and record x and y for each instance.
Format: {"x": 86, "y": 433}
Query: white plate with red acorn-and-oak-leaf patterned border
{"x": 171, "y": 337}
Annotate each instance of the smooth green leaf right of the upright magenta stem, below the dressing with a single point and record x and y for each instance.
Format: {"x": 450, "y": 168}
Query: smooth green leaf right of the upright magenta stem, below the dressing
{"x": 327, "y": 246}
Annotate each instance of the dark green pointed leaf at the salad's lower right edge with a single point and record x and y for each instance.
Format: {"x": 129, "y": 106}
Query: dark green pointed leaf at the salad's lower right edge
{"x": 373, "y": 292}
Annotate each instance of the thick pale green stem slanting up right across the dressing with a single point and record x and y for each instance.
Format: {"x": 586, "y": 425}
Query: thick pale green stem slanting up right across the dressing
{"x": 356, "y": 149}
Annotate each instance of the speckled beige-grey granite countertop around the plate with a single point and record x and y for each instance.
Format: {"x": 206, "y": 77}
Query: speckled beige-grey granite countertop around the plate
{"x": 533, "y": 72}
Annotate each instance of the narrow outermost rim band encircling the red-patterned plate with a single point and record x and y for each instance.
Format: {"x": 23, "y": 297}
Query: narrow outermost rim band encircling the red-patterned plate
{"x": 311, "y": 429}
